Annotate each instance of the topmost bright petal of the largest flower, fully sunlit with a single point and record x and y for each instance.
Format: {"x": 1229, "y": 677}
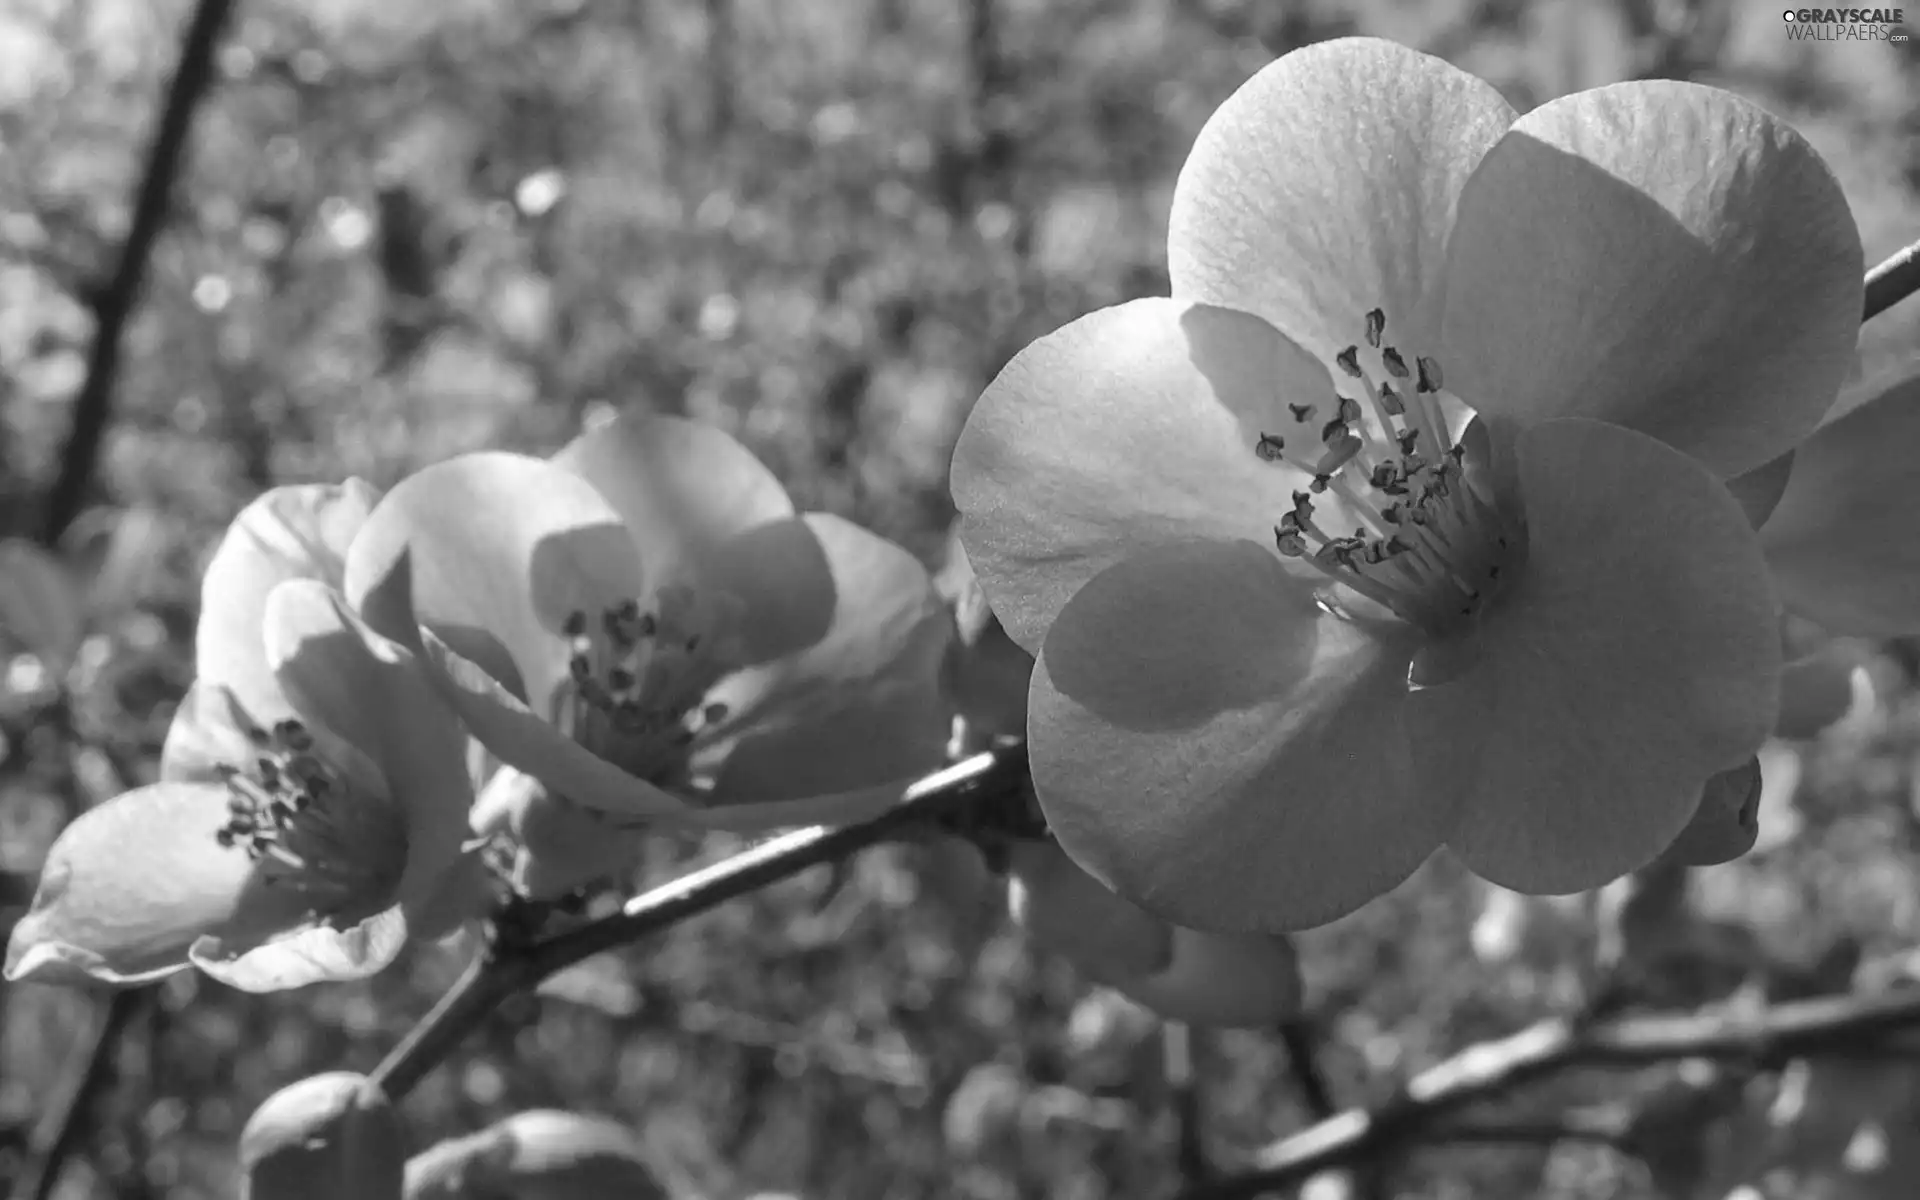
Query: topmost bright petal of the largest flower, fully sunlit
{"x": 1326, "y": 189}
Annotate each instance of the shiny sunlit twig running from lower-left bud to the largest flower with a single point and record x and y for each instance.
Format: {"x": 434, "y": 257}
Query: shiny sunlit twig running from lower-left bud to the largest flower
{"x": 997, "y": 777}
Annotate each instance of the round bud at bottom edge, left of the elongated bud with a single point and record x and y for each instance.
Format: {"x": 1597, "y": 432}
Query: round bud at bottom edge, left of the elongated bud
{"x": 329, "y": 1138}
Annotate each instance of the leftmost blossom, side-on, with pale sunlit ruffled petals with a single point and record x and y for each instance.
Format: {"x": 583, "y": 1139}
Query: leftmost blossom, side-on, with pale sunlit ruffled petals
{"x": 314, "y": 794}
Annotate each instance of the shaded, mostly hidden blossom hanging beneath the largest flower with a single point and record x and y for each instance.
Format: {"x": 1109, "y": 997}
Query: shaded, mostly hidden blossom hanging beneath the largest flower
{"x": 1226, "y": 980}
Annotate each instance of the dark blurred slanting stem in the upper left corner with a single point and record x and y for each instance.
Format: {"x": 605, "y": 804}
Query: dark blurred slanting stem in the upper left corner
{"x": 93, "y": 406}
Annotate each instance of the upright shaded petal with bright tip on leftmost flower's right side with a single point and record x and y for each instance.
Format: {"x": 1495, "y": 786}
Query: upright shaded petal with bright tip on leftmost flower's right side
{"x": 373, "y": 694}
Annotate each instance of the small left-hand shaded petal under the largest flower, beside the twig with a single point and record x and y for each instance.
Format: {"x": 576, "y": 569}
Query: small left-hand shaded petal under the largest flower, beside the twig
{"x": 1070, "y": 913}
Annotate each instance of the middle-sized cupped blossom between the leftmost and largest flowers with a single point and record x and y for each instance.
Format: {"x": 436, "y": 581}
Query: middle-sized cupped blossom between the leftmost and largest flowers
{"x": 648, "y": 629}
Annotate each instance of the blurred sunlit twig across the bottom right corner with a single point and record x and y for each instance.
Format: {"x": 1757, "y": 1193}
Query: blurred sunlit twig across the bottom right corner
{"x": 1767, "y": 1040}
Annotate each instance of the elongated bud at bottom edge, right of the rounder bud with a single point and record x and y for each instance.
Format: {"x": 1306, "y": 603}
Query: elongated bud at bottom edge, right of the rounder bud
{"x": 539, "y": 1155}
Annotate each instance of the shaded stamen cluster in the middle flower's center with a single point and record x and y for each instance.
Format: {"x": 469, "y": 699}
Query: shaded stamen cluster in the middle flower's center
{"x": 640, "y": 679}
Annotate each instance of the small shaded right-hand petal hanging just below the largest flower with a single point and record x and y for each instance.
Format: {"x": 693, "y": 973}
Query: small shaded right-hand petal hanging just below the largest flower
{"x": 1224, "y": 982}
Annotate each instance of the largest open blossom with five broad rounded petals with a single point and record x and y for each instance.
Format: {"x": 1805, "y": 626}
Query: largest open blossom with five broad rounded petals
{"x": 1403, "y": 523}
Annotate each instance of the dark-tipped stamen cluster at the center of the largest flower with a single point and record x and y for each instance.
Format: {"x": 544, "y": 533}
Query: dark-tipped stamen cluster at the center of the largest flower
{"x": 1431, "y": 540}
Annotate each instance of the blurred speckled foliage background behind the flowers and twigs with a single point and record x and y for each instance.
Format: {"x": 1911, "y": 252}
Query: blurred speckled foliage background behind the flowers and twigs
{"x": 408, "y": 231}
